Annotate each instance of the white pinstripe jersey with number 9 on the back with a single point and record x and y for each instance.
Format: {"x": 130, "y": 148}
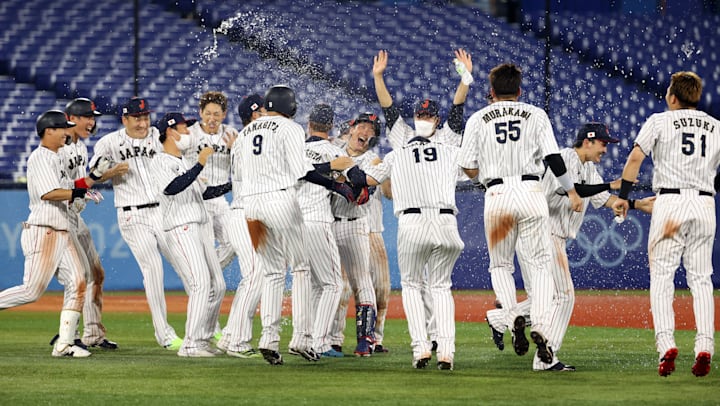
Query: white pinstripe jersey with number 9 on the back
{"x": 271, "y": 155}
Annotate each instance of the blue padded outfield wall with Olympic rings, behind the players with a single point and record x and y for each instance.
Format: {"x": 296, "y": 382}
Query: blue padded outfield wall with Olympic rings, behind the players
{"x": 604, "y": 256}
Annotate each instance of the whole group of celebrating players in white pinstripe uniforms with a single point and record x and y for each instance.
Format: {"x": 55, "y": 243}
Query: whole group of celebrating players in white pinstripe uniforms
{"x": 308, "y": 203}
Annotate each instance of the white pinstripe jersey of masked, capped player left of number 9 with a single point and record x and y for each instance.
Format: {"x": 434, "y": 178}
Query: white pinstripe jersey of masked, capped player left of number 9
{"x": 185, "y": 207}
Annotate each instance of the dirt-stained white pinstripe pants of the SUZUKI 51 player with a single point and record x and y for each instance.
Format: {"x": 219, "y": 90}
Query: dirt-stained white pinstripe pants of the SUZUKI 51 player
{"x": 682, "y": 227}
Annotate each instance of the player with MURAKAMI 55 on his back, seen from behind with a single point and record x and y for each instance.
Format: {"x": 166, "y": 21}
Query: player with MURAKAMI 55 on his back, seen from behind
{"x": 504, "y": 144}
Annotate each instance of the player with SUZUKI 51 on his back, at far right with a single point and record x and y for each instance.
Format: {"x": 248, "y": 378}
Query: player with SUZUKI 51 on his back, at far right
{"x": 685, "y": 148}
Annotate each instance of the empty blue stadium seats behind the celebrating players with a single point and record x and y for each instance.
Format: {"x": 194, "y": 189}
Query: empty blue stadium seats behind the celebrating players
{"x": 325, "y": 51}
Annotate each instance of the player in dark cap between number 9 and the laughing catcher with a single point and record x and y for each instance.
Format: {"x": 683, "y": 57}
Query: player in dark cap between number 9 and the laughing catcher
{"x": 322, "y": 250}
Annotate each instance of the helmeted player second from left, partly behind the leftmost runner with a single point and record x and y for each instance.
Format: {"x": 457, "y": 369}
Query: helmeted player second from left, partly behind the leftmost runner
{"x": 74, "y": 156}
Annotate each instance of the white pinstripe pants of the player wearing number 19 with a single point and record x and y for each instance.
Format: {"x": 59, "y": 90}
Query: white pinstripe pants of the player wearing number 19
{"x": 431, "y": 239}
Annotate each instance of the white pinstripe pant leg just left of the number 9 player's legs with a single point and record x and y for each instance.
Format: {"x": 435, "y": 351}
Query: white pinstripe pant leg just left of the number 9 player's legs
{"x": 238, "y": 331}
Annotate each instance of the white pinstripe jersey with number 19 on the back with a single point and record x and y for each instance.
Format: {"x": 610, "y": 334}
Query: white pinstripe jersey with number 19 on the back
{"x": 423, "y": 175}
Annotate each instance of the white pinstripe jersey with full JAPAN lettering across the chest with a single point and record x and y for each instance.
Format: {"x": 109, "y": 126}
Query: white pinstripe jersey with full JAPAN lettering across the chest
{"x": 136, "y": 187}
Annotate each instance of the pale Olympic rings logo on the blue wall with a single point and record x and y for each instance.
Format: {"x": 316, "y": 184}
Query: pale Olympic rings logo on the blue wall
{"x": 608, "y": 246}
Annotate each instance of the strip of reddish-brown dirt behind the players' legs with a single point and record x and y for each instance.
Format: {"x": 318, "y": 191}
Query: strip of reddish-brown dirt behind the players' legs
{"x": 610, "y": 310}
